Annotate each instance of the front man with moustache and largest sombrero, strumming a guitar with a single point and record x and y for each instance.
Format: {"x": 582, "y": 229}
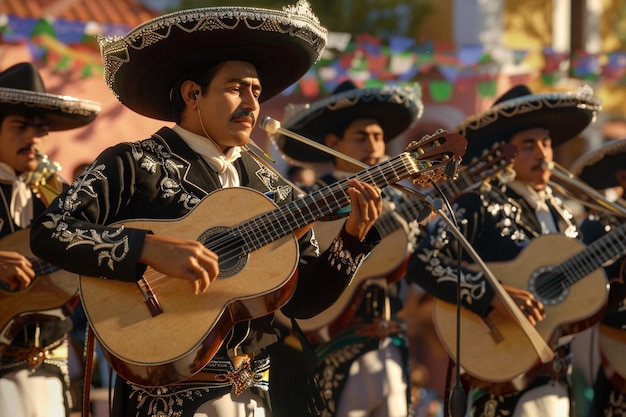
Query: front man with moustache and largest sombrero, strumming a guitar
{"x": 206, "y": 71}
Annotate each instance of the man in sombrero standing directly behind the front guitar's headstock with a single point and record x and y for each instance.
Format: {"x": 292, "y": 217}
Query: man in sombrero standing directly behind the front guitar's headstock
{"x": 363, "y": 356}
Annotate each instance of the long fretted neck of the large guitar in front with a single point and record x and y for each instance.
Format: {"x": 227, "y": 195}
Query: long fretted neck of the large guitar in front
{"x": 324, "y": 202}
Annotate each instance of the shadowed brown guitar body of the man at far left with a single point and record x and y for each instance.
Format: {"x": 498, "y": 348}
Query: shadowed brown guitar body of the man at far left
{"x": 49, "y": 297}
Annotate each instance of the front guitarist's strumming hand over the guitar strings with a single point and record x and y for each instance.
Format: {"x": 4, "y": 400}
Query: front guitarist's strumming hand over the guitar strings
{"x": 179, "y": 258}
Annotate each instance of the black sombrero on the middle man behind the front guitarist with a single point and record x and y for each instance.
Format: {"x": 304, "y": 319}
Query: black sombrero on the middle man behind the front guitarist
{"x": 395, "y": 108}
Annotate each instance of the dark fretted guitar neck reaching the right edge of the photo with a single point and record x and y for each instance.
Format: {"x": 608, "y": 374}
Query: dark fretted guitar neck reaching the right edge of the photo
{"x": 610, "y": 247}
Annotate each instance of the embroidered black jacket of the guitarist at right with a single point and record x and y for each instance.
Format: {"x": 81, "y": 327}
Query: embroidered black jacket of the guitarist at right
{"x": 499, "y": 224}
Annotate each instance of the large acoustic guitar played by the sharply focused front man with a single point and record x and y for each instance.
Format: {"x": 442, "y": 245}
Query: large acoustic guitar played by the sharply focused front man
{"x": 156, "y": 331}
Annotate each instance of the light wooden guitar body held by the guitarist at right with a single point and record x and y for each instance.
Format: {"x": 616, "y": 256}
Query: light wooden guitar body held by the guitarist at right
{"x": 490, "y": 358}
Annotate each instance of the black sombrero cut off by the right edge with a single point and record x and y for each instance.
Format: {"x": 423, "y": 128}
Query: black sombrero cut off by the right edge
{"x": 597, "y": 167}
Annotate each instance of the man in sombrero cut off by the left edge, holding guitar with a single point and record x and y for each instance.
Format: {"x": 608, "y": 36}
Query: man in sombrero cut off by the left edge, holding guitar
{"x": 34, "y": 378}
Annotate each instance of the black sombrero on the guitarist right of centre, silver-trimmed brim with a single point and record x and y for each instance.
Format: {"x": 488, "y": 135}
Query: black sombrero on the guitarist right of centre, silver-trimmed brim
{"x": 565, "y": 115}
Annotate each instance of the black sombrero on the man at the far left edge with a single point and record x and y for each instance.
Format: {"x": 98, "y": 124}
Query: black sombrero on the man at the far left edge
{"x": 22, "y": 91}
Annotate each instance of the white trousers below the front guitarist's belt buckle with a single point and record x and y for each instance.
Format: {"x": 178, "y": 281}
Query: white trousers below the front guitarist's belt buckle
{"x": 244, "y": 405}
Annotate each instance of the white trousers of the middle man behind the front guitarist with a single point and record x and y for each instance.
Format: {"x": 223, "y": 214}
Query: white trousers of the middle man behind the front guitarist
{"x": 376, "y": 386}
